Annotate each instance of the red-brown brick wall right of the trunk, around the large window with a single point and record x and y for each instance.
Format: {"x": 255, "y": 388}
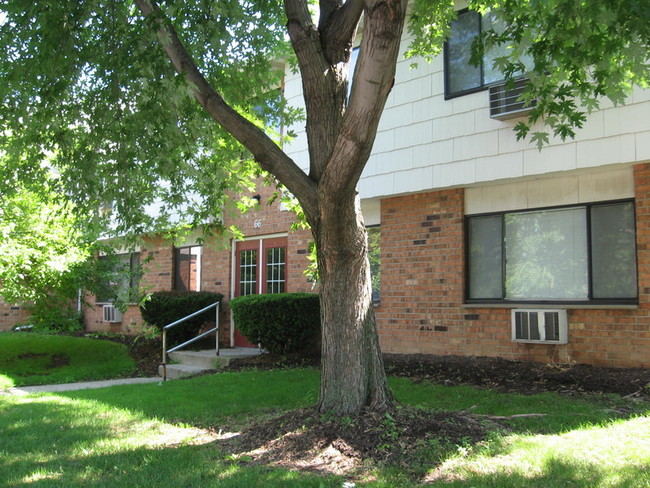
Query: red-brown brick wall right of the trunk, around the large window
{"x": 422, "y": 309}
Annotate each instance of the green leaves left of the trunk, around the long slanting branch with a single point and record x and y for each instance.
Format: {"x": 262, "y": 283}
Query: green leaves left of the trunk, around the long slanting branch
{"x": 103, "y": 103}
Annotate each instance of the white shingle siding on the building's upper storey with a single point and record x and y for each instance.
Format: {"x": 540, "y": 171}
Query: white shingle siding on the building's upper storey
{"x": 425, "y": 142}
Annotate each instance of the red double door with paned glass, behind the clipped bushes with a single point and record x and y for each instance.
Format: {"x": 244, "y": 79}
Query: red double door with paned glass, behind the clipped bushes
{"x": 260, "y": 267}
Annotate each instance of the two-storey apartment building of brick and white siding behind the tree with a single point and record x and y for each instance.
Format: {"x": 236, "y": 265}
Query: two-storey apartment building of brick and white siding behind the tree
{"x": 488, "y": 246}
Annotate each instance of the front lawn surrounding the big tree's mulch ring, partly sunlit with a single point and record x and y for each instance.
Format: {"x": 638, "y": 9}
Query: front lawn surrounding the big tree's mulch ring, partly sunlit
{"x": 159, "y": 435}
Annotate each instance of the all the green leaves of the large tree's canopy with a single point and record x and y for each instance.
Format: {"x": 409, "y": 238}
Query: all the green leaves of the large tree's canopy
{"x": 86, "y": 85}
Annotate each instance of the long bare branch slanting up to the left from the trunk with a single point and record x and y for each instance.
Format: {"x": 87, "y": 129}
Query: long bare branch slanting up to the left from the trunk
{"x": 270, "y": 157}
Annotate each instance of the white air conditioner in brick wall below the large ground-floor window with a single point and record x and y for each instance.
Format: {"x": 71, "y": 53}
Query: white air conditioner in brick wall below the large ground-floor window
{"x": 539, "y": 325}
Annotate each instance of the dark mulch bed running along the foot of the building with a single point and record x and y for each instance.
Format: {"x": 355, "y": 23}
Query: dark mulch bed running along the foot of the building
{"x": 484, "y": 372}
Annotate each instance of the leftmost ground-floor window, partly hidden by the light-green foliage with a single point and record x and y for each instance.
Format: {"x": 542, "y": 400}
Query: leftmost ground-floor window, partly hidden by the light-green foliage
{"x": 122, "y": 278}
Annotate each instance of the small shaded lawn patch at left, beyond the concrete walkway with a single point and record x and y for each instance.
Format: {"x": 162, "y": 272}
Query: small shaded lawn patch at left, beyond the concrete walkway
{"x": 29, "y": 358}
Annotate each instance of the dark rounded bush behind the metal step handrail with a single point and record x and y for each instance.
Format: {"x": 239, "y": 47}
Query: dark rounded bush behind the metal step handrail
{"x": 164, "y": 307}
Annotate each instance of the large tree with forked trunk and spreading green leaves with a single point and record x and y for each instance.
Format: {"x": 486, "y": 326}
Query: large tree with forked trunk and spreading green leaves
{"x": 87, "y": 84}
